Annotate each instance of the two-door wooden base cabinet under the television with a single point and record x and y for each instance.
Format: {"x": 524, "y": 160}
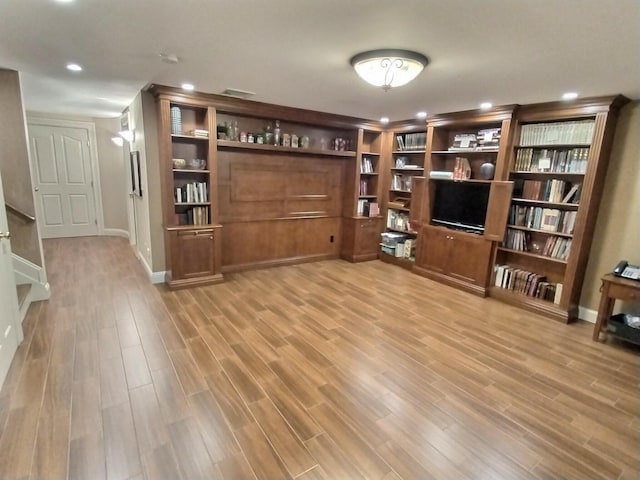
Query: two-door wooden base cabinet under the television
{"x": 457, "y": 258}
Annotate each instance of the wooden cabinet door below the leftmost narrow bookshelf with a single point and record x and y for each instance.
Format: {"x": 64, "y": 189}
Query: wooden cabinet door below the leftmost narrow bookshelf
{"x": 194, "y": 254}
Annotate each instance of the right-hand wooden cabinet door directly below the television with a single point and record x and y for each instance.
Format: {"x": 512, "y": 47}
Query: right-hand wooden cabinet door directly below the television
{"x": 468, "y": 258}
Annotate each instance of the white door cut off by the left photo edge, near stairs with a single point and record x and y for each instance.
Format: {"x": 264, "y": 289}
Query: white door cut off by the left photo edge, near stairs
{"x": 10, "y": 328}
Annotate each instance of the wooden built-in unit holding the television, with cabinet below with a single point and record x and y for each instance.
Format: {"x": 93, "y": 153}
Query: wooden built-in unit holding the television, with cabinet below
{"x": 447, "y": 252}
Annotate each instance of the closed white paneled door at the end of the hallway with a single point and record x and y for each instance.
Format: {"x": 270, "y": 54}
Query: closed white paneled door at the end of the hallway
{"x": 63, "y": 181}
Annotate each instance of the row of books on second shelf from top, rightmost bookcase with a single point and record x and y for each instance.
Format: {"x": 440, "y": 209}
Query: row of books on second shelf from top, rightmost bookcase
{"x": 573, "y": 160}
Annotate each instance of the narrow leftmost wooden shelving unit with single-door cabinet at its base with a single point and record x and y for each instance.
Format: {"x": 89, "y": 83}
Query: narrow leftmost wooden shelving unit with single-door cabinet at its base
{"x": 192, "y": 231}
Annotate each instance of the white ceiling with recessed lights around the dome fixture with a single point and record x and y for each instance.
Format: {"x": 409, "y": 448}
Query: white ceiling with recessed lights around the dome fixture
{"x": 296, "y": 52}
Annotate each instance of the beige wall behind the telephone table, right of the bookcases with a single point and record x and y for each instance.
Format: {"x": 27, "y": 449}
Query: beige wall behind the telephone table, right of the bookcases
{"x": 617, "y": 234}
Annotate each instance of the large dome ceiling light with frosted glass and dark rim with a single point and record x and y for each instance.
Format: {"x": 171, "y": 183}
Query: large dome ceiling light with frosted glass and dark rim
{"x": 389, "y": 68}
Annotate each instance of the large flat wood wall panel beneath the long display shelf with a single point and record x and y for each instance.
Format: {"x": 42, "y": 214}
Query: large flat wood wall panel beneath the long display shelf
{"x": 277, "y": 207}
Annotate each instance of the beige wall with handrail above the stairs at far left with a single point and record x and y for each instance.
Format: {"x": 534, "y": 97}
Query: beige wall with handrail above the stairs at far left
{"x": 14, "y": 166}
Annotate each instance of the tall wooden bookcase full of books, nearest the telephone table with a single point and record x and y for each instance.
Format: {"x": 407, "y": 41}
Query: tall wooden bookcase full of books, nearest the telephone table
{"x": 558, "y": 164}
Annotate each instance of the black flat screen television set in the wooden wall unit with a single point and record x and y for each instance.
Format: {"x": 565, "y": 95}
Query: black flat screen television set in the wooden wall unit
{"x": 461, "y": 205}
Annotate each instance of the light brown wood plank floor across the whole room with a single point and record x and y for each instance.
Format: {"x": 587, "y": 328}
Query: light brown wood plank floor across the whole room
{"x": 328, "y": 370}
